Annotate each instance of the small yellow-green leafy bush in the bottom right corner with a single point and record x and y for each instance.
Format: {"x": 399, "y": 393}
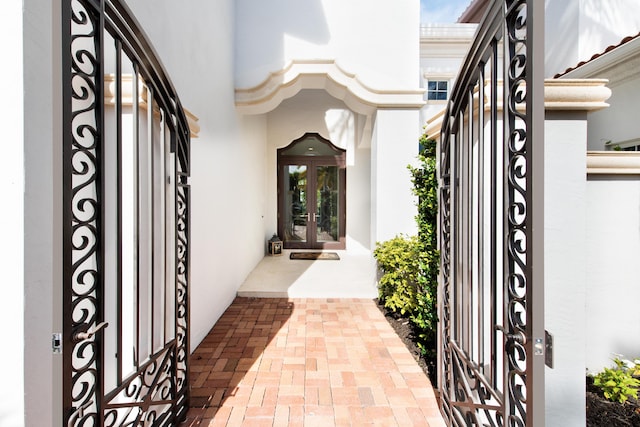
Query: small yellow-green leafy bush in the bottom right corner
{"x": 618, "y": 383}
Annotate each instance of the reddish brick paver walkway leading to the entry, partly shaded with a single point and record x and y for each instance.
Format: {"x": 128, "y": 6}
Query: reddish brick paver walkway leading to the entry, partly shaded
{"x": 307, "y": 362}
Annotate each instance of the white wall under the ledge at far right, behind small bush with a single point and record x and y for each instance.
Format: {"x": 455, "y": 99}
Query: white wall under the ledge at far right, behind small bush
{"x": 613, "y": 237}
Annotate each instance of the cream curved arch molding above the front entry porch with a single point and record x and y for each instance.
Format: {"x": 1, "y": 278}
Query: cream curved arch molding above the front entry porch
{"x": 327, "y": 75}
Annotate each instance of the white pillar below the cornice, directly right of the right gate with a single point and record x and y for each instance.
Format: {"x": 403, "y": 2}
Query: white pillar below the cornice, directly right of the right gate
{"x": 565, "y": 273}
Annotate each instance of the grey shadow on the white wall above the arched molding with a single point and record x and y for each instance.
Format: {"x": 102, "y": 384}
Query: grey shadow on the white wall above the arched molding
{"x": 261, "y": 28}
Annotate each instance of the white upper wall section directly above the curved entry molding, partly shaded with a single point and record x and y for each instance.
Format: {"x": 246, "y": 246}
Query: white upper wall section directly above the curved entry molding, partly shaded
{"x": 377, "y": 40}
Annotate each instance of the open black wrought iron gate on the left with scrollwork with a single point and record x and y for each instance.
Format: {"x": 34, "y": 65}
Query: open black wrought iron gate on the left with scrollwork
{"x": 126, "y": 225}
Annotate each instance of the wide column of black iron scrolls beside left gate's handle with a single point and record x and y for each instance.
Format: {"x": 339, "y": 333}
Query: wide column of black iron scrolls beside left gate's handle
{"x": 85, "y": 239}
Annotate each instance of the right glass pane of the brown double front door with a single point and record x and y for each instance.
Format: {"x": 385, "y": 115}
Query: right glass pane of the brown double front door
{"x": 327, "y": 190}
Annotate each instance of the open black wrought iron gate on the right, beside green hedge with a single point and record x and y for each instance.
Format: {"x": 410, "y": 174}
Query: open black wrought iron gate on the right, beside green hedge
{"x": 491, "y": 199}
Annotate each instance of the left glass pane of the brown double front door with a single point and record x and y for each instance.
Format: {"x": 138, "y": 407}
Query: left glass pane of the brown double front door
{"x": 295, "y": 204}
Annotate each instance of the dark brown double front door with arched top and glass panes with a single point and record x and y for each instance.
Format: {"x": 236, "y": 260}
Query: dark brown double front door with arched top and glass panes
{"x": 311, "y": 190}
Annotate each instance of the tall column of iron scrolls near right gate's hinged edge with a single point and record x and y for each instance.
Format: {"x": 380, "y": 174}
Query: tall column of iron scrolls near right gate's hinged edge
{"x": 517, "y": 209}
